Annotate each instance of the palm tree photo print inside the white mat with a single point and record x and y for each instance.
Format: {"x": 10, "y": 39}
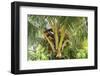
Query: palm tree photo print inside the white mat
{"x": 57, "y": 37}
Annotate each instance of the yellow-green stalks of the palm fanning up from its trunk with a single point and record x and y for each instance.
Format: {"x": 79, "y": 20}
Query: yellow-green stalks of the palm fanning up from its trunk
{"x": 59, "y": 36}
